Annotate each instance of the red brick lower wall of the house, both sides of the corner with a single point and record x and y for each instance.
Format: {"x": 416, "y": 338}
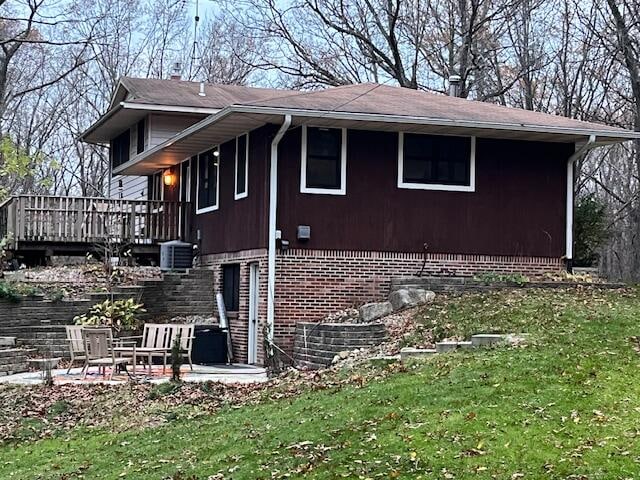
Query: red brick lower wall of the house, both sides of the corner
{"x": 311, "y": 284}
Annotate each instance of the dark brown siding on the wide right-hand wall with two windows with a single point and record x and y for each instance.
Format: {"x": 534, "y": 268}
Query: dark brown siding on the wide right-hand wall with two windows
{"x": 518, "y": 207}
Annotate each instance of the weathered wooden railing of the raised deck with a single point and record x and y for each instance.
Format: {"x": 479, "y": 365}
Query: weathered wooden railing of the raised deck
{"x": 38, "y": 218}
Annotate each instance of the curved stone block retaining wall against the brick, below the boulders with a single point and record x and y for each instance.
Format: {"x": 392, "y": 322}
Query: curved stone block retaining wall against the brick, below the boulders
{"x": 316, "y": 344}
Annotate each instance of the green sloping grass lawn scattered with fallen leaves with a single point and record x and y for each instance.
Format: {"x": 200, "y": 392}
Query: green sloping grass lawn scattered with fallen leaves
{"x": 566, "y": 406}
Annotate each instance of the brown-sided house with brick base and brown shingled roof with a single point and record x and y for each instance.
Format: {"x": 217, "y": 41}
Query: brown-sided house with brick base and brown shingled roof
{"x": 309, "y": 202}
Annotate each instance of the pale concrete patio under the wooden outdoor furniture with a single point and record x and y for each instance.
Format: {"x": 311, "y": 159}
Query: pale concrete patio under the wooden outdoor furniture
{"x": 234, "y": 373}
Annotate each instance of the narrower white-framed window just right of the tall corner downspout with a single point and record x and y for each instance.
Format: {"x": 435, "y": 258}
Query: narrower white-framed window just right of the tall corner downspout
{"x": 324, "y": 160}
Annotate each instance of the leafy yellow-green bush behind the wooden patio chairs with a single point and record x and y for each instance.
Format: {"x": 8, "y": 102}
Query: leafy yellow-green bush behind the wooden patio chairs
{"x": 119, "y": 315}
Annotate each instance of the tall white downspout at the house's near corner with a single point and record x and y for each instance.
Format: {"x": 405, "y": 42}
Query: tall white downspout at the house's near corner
{"x": 273, "y": 206}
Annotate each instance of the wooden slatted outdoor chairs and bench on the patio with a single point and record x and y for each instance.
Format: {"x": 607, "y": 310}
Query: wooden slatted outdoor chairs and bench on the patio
{"x": 97, "y": 347}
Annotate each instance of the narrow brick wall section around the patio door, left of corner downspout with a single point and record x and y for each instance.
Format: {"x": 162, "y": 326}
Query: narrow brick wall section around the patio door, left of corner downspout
{"x": 239, "y": 321}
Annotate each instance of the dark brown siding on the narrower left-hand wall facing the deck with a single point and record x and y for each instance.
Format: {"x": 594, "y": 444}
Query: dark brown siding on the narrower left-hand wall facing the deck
{"x": 237, "y": 224}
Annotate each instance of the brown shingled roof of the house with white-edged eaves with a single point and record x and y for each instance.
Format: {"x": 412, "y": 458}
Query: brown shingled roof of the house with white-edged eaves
{"x": 231, "y": 110}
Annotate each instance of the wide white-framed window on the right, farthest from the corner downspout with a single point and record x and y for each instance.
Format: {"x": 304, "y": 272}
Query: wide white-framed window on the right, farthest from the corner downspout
{"x": 435, "y": 162}
